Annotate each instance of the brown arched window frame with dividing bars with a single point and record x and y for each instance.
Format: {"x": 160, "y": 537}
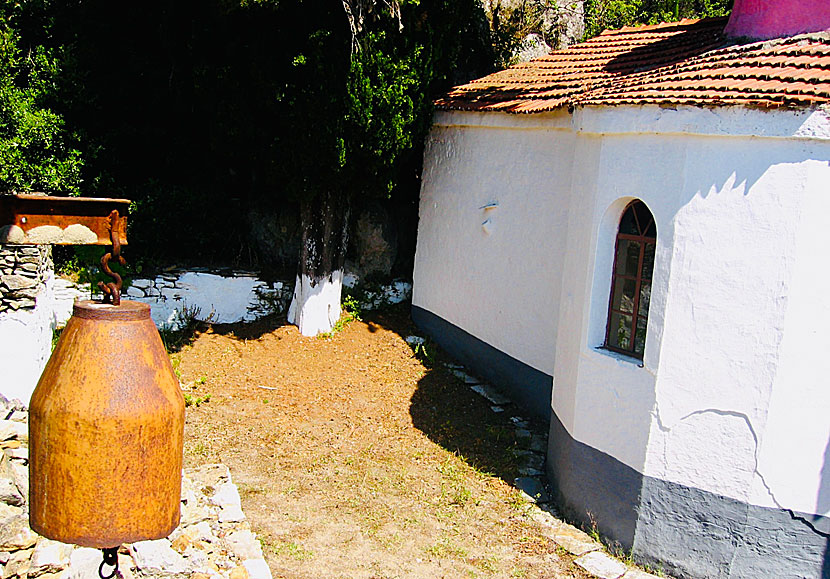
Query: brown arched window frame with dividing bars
{"x": 644, "y": 240}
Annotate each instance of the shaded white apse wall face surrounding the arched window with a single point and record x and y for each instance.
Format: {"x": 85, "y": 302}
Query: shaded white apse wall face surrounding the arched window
{"x": 614, "y": 394}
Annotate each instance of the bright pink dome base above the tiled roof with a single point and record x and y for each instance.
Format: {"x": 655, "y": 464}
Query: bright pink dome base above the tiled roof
{"x": 763, "y": 19}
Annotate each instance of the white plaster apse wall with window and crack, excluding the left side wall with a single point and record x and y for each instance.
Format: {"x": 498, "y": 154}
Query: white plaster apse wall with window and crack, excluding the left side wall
{"x": 731, "y": 237}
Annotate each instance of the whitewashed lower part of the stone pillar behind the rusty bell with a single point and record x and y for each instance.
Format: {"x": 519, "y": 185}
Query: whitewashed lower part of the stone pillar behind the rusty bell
{"x": 26, "y": 344}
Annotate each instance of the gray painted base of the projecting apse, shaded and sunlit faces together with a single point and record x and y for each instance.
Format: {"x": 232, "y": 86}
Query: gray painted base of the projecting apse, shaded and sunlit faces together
{"x": 686, "y": 531}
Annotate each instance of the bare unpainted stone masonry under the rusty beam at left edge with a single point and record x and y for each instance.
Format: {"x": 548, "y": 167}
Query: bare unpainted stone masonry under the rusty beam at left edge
{"x": 23, "y": 269}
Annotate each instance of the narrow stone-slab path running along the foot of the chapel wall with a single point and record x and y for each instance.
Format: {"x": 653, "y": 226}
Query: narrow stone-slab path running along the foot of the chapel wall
{"x": 590, "y": 554}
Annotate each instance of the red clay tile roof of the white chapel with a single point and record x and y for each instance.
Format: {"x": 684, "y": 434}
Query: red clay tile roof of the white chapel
{"x": 679, "y": 63}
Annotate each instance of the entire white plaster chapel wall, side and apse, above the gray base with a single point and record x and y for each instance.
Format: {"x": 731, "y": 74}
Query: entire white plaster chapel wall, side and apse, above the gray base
{"x": 731, "y": 395}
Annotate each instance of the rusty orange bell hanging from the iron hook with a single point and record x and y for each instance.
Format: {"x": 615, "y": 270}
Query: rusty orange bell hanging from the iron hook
{"x": 106, "y": 424}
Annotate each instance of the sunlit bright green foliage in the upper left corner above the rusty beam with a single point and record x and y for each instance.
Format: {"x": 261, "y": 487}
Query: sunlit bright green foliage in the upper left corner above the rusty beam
{"x": 37, "y": 151}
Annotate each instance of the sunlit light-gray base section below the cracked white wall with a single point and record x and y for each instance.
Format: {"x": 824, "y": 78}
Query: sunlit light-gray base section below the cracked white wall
{"x": 707, "y": 535}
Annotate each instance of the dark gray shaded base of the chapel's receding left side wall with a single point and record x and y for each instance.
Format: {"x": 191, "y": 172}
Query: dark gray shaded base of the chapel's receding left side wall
{"x": 527, "y": 386}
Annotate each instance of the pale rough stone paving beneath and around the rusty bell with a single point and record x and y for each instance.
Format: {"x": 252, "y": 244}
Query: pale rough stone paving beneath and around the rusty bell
{"x": 213, "y": 541}
